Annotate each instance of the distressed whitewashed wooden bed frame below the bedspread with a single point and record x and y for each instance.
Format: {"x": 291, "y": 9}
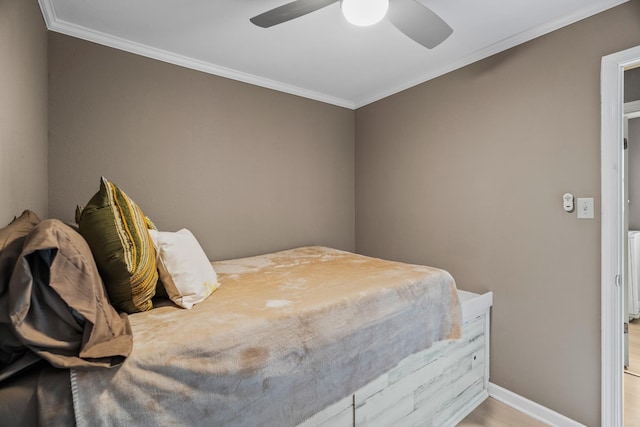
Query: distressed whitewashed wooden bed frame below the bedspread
{"x": 436, "y": 387}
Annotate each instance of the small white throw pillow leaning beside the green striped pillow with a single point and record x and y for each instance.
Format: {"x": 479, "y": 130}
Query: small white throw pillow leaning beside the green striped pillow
{"x": 184, "y": 269}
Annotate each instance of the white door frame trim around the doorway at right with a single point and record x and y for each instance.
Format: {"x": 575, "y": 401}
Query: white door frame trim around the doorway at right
{"x": 612, "y": 355}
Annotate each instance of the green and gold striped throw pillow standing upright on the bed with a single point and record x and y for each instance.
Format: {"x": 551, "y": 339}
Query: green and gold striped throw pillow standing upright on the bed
{"x": 117, "y": 233}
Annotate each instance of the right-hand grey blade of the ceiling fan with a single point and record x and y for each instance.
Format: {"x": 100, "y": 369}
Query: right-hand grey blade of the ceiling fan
{"x": 418, "y": 22}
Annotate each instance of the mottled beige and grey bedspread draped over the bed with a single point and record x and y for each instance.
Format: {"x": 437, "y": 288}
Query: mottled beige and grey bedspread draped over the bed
{"x": 285, "y": 335}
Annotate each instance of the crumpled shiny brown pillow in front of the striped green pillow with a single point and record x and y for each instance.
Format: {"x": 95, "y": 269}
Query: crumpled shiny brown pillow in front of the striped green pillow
{"x": 58, "y": 305}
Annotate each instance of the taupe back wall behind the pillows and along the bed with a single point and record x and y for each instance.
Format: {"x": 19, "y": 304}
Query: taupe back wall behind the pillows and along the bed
{"x": 248, "y": 170}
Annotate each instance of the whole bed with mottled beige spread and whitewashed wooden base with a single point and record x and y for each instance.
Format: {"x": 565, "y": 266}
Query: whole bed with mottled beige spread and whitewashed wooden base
{"x": 310, "y": 336}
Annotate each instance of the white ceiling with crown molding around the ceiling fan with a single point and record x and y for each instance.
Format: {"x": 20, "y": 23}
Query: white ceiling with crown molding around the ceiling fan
{"x": 318, "y": 56}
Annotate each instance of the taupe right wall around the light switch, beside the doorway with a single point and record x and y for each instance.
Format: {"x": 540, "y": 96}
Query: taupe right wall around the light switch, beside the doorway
{"x": 466, "y": 172}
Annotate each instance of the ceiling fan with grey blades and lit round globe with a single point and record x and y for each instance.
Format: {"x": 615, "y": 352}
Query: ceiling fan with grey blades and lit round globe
{"x": 415, "y": 20}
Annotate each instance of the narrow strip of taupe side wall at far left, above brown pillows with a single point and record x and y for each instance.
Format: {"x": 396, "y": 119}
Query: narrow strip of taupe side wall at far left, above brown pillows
{"x": 23, "y": 109}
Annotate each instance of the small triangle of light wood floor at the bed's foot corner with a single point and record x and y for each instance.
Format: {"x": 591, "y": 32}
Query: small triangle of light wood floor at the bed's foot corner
{"x": 492, "y": 413}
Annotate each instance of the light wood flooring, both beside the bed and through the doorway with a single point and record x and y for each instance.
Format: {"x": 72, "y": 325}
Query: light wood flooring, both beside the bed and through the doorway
{"x": 496, "y": 414}
